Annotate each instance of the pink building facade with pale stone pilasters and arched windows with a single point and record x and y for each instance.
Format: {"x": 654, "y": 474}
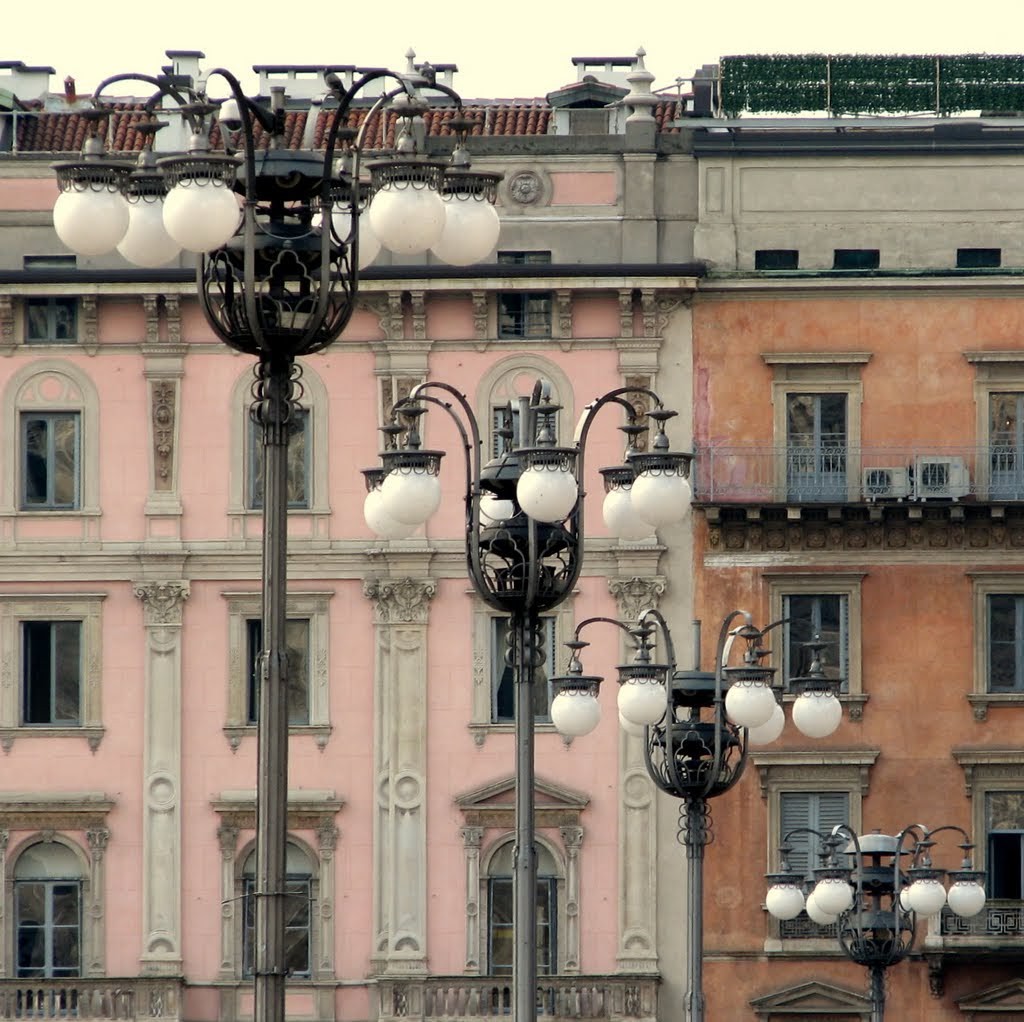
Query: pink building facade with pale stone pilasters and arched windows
{"x": 130, "y": 604}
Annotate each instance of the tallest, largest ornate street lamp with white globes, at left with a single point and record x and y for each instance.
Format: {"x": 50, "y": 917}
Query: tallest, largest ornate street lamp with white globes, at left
{"x": 278, "y": 238}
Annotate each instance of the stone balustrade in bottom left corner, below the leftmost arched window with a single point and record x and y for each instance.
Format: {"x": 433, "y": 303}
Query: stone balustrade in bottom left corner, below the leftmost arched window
{"x": 115, "y": 999}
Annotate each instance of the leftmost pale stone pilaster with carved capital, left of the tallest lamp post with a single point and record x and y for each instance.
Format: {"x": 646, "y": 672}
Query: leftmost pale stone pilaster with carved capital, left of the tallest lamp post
{"x": 163, "y": 603}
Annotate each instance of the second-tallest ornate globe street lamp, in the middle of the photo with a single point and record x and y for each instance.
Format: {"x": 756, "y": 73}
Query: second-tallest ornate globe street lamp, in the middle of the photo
{"x": 525, "y": 540}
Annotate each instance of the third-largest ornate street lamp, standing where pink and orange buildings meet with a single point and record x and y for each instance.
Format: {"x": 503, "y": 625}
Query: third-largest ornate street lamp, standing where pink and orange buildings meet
{"x": 698, "y": 728}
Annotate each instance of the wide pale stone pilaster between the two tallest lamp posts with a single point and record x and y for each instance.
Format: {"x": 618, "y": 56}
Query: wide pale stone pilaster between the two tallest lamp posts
{"x": 401, "y": 765}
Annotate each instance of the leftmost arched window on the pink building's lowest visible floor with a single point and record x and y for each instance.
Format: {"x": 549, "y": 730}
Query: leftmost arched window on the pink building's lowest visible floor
{"x": 49, "y": 912}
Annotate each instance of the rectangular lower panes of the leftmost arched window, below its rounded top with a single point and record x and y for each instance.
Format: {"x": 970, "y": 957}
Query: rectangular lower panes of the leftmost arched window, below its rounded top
{"x": 50, "y": 927}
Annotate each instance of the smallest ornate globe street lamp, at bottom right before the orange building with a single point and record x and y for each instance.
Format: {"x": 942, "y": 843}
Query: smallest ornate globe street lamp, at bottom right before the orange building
{"x": 864, "y": 888}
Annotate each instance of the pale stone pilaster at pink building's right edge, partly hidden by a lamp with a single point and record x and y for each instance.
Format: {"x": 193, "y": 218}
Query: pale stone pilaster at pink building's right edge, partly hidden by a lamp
{"x": 637, "y": 816}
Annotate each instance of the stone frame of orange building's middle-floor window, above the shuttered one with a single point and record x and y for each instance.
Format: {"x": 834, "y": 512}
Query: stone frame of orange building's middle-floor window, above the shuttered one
{"x": 844, "y": 584}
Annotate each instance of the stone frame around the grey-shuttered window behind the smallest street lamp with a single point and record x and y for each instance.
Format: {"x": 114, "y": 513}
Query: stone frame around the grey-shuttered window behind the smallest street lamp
{"x": 819, "y": 772}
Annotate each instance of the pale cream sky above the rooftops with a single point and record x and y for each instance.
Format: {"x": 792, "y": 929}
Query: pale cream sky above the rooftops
{"x": 519, "y": 49}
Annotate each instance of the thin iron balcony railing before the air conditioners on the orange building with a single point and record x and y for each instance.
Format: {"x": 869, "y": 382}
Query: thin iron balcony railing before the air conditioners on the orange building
{"x": 840, "y": 475}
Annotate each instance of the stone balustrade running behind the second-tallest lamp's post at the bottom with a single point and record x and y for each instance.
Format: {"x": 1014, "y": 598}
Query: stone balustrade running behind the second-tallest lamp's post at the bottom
{"x": 602, "y": 998}
